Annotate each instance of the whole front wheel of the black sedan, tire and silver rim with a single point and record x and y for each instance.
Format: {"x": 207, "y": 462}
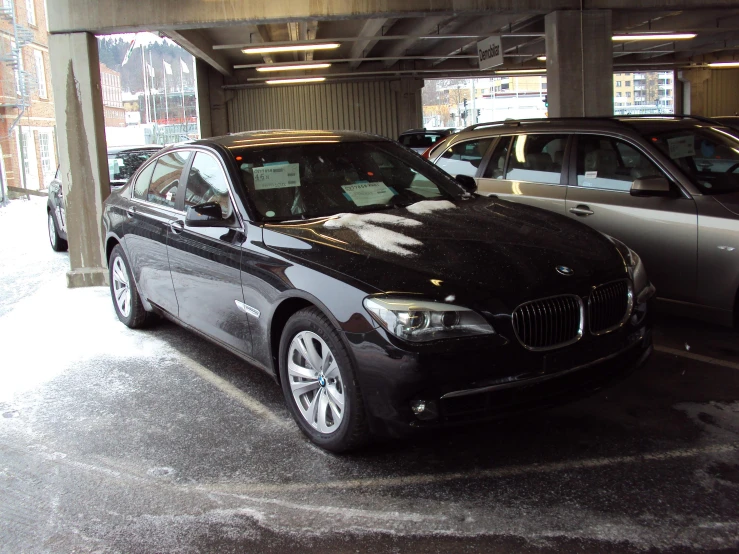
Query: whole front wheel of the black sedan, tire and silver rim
{"x": 312, "y": 393}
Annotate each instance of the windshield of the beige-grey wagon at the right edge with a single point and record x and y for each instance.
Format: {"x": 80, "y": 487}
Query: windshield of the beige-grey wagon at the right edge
{"x": 709, "y": 156}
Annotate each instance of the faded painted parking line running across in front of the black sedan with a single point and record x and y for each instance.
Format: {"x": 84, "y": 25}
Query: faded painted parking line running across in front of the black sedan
{"x": 510, "y": 471}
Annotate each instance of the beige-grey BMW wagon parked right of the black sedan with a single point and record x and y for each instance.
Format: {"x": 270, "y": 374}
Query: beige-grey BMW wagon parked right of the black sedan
{"x": 666, "y": 186}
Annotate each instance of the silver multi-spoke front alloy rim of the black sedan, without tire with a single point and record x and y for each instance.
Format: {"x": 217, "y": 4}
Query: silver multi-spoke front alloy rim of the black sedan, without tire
{"x": 315, "y": 382}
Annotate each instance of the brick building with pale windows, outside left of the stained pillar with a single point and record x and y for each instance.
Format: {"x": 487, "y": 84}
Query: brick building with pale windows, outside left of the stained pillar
{"x": 28, "y": 142}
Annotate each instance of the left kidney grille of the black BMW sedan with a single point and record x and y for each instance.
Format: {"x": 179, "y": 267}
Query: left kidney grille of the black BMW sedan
{"x": 549, "y": 322}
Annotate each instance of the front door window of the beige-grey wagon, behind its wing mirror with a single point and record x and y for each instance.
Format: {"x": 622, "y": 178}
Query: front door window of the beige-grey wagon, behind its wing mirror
{"x": 611, "y": 164}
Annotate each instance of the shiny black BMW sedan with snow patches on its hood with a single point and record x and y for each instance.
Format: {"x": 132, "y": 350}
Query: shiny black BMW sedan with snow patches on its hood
{"x": 376, "y": 289}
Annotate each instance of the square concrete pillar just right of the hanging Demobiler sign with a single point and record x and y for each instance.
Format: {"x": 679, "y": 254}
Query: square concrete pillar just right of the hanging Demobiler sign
{"x": 579, "y": 63}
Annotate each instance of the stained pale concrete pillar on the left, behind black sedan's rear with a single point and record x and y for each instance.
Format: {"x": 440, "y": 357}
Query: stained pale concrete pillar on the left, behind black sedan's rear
{"x": 78, "y": 106}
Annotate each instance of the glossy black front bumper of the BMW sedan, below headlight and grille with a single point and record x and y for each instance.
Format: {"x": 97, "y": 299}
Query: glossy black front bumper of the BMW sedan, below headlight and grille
{"x": 471, "y": 381}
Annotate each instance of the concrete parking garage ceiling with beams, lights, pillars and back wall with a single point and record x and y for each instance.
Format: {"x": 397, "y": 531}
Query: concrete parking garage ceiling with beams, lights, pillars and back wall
{"x": 368, "y": 60}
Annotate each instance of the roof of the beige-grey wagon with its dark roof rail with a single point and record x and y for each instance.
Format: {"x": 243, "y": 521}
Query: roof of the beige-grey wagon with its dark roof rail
{"x": 640, "y": 124}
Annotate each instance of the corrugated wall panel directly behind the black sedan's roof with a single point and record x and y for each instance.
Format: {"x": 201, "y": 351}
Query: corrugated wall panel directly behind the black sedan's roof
{"x": 369, "y": 106}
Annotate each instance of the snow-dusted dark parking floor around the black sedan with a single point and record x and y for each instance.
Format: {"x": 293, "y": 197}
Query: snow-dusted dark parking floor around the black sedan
{"x": 114, "y": 440}
